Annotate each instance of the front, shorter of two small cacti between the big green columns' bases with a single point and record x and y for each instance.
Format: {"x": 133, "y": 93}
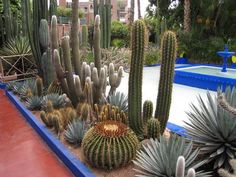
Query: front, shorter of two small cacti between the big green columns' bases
{"x": 153, "y": 128}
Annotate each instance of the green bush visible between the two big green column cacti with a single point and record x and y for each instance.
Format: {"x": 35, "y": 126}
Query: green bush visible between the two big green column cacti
{"x": 152, "y": 56}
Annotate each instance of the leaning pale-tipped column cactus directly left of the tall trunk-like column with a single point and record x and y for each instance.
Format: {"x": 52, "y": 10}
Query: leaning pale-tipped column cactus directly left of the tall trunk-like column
{"x": 65, "y": 44}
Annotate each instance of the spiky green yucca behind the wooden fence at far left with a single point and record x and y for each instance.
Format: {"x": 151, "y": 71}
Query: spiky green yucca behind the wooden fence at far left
{"x": 16, "y": 46}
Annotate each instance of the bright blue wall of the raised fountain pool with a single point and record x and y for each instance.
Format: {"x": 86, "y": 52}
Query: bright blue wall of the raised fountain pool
{"x": 202, "y": 81}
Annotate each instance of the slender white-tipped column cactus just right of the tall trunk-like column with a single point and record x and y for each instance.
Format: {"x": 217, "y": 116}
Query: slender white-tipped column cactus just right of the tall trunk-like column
{"x": 97, "y": 39}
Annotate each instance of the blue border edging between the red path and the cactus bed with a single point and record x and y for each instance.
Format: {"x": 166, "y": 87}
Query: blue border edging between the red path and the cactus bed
{"x": 76, "y": 167}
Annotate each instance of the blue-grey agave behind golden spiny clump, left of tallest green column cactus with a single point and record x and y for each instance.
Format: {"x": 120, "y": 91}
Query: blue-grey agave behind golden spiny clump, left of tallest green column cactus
{"x": 120, "y": 100}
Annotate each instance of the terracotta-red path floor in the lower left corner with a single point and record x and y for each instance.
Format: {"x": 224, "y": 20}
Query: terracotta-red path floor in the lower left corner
{"x": 22, "y": 152}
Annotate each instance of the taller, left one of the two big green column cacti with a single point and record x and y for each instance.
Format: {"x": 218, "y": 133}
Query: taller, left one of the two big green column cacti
{"x": 135, "y": 78}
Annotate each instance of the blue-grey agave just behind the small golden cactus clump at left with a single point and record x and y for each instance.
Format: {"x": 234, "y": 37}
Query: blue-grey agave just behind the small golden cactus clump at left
{"x": 58, "y": 101}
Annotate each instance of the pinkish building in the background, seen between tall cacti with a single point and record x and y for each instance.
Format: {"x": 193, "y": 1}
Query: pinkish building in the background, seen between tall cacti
{"x": 119, "y": 9}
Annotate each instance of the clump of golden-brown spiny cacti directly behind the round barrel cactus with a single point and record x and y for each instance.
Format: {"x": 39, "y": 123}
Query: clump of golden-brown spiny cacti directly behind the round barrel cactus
{"x": 109, "y": 112}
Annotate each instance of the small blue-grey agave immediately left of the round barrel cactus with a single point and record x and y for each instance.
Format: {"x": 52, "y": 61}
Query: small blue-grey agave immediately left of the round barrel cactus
{"x": 75, "y": 132}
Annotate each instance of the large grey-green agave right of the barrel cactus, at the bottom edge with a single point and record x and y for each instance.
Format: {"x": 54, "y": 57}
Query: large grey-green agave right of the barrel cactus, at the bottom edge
{"x": 159, "y": 158}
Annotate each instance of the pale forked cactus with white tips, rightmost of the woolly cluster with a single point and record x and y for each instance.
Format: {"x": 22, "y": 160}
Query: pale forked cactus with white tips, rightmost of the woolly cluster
{"x": 114, "y": 78}
